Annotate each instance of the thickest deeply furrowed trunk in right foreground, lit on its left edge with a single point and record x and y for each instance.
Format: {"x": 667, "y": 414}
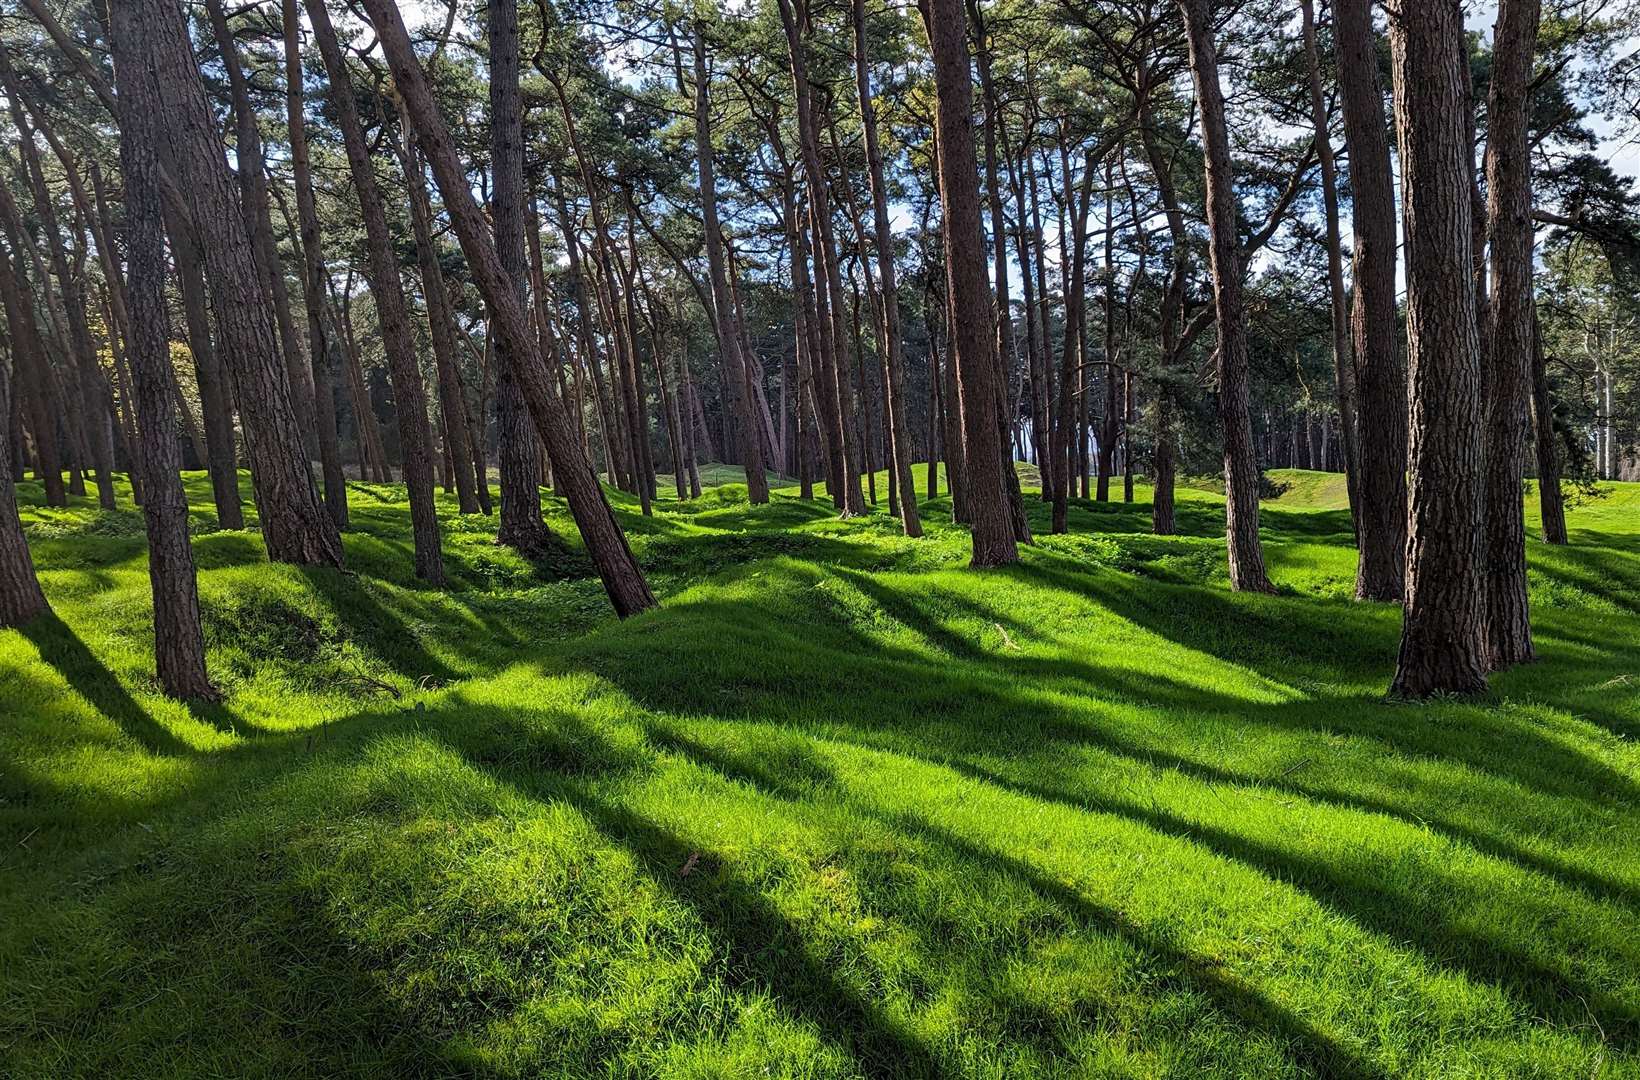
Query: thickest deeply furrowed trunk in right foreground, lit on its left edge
{"x": 1444, "y": 633}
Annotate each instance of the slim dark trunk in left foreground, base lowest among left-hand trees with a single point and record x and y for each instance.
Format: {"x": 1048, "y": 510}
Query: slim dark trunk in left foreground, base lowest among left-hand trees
{"x": 180, "y": 647}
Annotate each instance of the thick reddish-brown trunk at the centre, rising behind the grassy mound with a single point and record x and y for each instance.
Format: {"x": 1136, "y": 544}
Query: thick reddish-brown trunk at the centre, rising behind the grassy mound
{"x": 970, "y": 293}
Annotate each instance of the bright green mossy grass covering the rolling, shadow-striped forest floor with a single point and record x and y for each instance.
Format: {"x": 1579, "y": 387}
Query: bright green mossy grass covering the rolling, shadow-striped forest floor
{"x": 839, "y": 809}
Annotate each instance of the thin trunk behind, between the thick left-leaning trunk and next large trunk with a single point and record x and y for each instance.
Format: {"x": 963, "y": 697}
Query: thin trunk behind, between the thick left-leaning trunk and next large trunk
{"x": 322, "y": 350}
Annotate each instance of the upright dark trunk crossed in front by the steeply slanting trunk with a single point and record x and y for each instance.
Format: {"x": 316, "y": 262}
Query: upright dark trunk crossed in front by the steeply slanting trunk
{"x": 517, "y": 443}
